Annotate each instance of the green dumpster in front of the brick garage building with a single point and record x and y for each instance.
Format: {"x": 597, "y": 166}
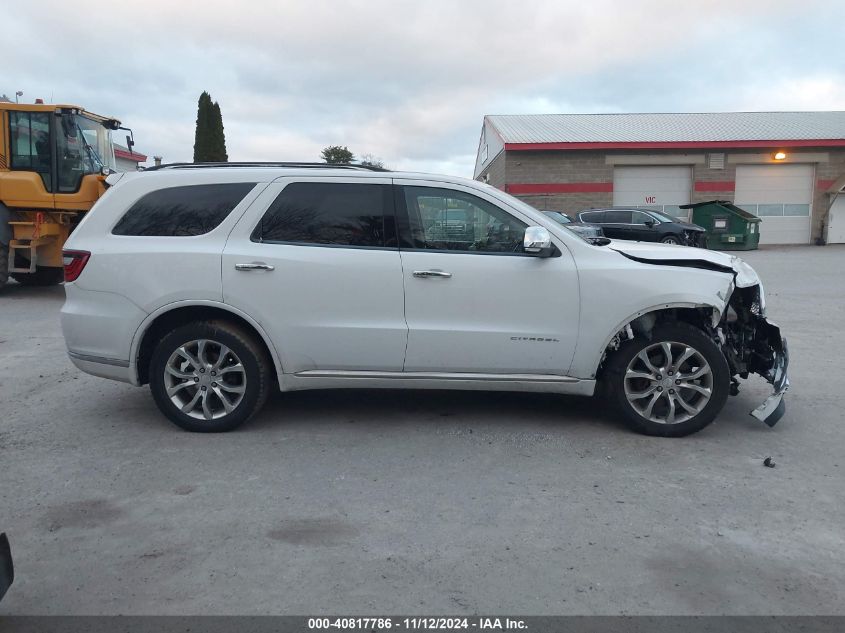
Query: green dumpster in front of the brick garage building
{"x": 728, "y": 228}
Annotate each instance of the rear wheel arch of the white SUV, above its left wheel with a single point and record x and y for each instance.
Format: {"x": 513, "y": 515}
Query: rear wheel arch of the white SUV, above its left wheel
{"x": 176, "y": 314}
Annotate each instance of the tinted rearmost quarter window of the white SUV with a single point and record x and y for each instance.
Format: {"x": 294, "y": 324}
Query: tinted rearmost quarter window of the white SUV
{"x": 182, "y": 211}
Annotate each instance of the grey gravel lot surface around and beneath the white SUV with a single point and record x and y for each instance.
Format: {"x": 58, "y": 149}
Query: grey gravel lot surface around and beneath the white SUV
{"x": 425, "y": 502}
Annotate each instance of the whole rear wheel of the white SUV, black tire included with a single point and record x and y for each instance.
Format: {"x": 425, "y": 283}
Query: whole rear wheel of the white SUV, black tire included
{"x": 209, "y": 376}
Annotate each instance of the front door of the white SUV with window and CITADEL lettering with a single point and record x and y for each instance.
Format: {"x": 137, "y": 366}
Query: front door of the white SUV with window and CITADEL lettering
{"x": 474, "y": 300}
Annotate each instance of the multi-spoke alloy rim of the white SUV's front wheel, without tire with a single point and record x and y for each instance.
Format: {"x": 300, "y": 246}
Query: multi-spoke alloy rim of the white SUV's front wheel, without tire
{"x": 668, "y": 382}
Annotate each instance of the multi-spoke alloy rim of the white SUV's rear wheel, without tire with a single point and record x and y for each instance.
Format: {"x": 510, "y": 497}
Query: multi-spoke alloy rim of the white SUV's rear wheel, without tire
{"x": 205, "y": 379}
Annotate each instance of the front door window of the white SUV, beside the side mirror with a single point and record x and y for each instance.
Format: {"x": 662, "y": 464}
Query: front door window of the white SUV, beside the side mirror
{"x": 448, "y": 220}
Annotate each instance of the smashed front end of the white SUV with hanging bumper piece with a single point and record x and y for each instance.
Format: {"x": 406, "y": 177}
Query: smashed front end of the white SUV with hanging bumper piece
{"x": 753, "y": 344}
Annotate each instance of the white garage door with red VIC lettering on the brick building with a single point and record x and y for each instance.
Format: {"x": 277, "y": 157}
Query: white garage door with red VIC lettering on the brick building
{"x": 660, "y": 188}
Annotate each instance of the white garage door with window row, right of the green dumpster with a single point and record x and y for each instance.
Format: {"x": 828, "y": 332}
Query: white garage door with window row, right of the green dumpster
{"x": 782, "y": 196}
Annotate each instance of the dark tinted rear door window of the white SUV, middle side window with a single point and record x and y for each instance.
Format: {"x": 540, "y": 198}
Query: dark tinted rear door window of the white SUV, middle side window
{"x": 330, "y": 214}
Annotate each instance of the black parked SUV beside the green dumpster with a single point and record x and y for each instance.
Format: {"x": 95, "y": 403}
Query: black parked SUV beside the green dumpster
{"x": 644, "y": 225}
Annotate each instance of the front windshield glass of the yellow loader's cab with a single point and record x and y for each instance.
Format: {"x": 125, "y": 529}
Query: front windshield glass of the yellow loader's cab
{"x": 84, "y": 147}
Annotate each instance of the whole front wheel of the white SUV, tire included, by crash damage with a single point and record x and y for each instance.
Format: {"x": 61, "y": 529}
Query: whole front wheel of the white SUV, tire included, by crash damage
{"x": 671, "y": 385}
